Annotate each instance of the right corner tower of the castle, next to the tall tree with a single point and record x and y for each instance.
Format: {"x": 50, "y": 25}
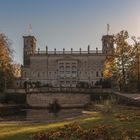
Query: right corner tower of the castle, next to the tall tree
{"x": 108, "y": 44}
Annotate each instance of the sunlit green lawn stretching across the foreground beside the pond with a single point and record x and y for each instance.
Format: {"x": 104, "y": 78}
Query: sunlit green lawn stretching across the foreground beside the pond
{"x": 25, "y": 131}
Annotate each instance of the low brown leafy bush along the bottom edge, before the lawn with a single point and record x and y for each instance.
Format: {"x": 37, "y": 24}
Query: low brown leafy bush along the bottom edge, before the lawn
{"x": 99, "y": 132}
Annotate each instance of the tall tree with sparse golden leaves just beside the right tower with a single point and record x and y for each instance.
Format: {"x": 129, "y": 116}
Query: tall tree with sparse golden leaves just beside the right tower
{"x": 122, "y": 58}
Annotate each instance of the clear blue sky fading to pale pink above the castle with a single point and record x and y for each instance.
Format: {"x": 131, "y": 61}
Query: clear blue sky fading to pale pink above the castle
{"x": 67, "y": 23}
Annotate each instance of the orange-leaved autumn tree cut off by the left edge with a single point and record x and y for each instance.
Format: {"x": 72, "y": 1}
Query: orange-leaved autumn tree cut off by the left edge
{"x": 6, "y": 71}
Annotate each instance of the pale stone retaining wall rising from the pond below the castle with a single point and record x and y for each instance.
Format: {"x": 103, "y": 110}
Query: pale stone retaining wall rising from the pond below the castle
{"x": 63, "y": 99}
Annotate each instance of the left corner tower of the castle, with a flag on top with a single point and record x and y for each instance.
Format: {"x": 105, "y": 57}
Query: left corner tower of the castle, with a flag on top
{"x": 29, "y": 47}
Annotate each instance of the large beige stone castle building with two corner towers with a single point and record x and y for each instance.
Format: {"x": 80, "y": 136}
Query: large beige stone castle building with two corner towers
{"x": 63, "y": 68}
